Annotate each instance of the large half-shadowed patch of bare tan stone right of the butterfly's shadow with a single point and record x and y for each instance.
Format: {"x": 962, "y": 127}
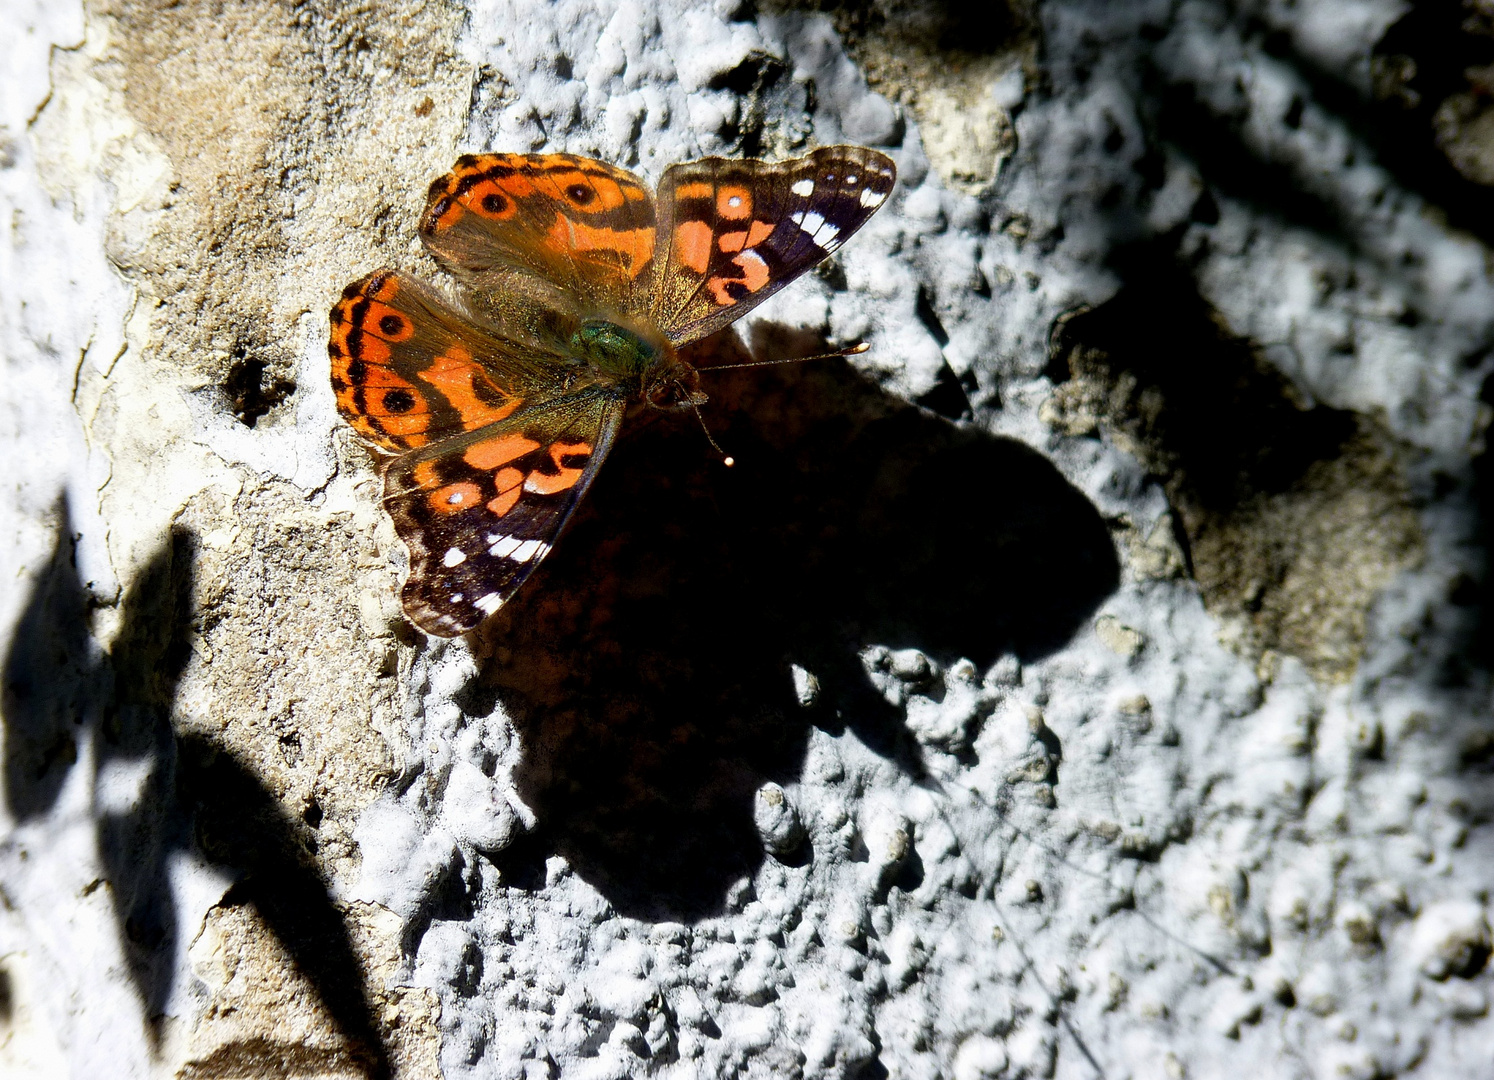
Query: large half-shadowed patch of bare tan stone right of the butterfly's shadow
{"x": 1292, "y": 519}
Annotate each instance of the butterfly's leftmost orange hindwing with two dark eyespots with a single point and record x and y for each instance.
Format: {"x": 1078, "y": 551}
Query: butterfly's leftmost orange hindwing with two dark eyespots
{"x": 409, "y": 370}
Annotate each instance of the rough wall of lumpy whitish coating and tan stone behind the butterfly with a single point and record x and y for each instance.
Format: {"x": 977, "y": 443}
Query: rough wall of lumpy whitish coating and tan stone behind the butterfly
{"x": 1093, "y": 679}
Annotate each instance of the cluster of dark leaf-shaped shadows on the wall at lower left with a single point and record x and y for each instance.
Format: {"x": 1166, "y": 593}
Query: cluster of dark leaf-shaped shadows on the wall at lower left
{"x": 159, "y": 786}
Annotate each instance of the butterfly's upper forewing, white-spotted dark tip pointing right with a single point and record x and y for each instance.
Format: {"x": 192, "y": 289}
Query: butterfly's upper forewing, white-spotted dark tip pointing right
{"x": 737, "y": 232}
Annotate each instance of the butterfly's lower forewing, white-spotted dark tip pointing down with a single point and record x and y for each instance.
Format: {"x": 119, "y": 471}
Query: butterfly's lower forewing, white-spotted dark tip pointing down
{"x": 480, "y": 512}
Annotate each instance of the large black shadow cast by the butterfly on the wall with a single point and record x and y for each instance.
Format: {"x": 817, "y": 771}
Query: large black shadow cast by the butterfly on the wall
{"x": 648, "y": 665}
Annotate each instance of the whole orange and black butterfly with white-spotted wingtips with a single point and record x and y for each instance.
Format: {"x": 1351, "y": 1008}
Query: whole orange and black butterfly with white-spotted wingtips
{"x": 580, "y": 288}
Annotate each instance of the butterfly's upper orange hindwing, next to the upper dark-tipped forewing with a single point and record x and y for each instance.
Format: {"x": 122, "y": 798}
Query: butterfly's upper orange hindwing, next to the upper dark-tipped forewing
{"x": 577, "y": 223}
